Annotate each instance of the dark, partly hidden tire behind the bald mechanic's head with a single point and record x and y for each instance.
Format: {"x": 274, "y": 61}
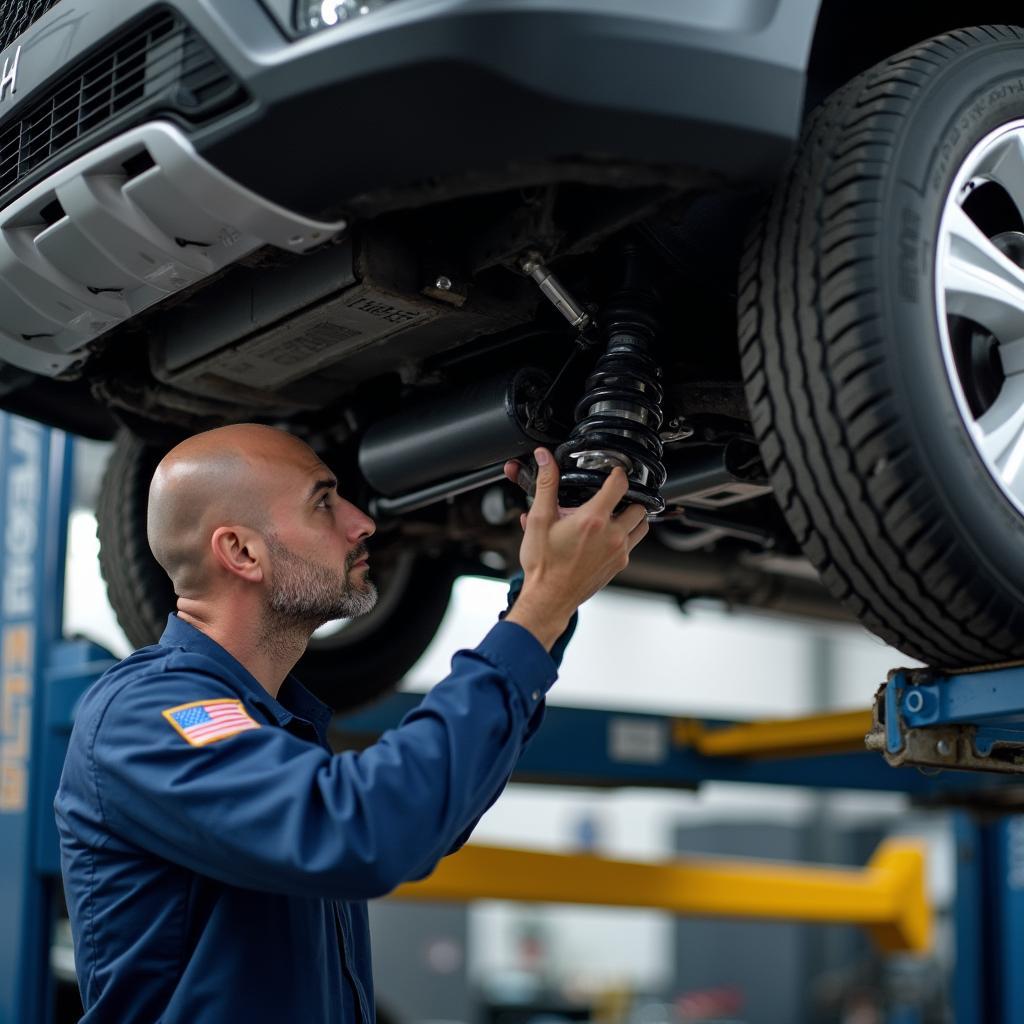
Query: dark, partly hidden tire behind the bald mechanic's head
{"x": 347, "y": 669}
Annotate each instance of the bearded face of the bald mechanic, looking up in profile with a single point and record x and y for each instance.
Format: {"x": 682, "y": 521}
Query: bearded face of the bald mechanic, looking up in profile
{"x": 319, "y": 560}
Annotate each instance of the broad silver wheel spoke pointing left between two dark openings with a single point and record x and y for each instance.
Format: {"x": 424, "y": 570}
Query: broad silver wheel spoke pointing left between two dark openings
{"x": 980, "y": 282}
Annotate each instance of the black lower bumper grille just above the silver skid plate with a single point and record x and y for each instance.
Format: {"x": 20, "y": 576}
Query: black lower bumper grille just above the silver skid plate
{"x": 160, "y": 65}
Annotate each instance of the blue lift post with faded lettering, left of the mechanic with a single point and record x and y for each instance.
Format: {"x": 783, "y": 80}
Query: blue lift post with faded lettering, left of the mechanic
{"x": 41, "y": 678}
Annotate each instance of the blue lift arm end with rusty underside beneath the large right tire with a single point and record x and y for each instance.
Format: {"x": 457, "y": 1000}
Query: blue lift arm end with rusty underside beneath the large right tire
{"x": 973, "y": 720}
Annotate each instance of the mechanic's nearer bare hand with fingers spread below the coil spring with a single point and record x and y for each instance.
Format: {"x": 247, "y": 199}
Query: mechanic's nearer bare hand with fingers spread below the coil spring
{"x": 568, "y": 559}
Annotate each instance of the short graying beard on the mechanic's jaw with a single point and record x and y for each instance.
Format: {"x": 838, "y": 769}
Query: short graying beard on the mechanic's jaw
{"x": 305, "y": 595}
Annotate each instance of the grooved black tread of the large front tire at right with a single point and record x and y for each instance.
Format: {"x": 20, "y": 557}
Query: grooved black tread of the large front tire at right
{"x": 823, "y": 410}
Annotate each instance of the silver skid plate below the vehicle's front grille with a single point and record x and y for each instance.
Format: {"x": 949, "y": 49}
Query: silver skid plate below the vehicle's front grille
{"x": 124, "y": 242}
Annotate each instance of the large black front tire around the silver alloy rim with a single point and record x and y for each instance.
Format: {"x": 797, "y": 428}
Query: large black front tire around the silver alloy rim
{"x": 845, "y": 348}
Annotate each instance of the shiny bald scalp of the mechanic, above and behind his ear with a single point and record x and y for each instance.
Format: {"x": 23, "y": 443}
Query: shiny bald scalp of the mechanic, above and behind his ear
{"x": 222, "y": 478}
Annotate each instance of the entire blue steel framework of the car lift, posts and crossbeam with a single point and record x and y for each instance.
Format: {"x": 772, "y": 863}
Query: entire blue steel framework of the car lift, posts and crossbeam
{"x": 42, "y": 676}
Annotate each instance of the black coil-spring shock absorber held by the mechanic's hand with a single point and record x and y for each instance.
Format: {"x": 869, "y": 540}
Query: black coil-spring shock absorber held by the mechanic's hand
{"x": 620, "y": 415}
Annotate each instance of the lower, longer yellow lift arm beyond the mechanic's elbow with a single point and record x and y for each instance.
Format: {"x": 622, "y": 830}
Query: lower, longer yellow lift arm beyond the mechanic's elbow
{"x": 888, "y": 898}
